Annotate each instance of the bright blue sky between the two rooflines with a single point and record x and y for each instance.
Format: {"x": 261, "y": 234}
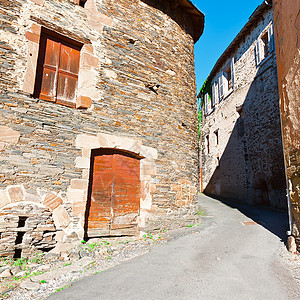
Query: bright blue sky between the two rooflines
{"x": 223, "y": 21}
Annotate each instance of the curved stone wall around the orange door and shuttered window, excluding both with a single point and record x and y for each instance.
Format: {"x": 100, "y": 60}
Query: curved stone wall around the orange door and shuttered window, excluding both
{"x": 136, "y": 91}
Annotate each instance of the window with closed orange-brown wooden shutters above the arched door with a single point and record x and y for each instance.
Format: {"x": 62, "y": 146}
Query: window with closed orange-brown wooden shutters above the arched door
{"x": 58, "y": 68}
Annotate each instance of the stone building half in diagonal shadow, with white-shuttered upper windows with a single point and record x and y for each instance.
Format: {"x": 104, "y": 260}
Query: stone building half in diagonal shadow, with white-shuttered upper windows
{"x": 242, "y": 155}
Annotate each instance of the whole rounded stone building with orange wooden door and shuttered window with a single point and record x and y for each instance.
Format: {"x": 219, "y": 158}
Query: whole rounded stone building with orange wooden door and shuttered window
{"x": 98, "y": 118}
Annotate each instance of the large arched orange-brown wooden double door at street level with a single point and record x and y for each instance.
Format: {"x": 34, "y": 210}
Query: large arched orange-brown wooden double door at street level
{"x": 115, "y": 194}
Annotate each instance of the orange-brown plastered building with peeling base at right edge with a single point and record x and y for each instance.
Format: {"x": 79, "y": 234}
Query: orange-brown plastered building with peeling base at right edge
{"x": 287, "y": 30}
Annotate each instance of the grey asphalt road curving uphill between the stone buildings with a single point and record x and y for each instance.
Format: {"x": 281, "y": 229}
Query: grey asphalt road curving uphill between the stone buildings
{"x": 220, "y": 259}
